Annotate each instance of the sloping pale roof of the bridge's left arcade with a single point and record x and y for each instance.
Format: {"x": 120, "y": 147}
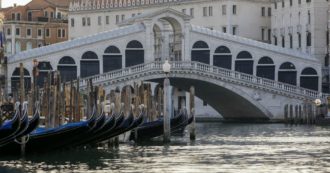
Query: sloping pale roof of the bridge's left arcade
{"x": 54, "y": 48}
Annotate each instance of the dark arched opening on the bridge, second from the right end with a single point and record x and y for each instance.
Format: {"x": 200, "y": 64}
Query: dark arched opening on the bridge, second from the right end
{"x": 287, "y": 73}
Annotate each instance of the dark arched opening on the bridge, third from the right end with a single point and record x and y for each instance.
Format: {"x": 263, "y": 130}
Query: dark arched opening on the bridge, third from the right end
{"x": 266, "y": 68}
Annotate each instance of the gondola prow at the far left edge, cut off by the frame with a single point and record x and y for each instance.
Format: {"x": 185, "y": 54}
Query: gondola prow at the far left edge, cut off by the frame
{"x": 10, "y": 127}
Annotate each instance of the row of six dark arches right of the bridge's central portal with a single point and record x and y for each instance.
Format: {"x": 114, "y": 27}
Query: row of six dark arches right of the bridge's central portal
{"x": 265, "y": 68}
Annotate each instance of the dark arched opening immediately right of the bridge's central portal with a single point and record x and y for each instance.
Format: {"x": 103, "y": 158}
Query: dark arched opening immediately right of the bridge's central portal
{"x": 200, "y": 52}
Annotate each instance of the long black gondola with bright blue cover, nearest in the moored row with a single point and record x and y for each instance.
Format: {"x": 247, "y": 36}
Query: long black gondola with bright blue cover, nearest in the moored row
{"x": 43, "y": 140}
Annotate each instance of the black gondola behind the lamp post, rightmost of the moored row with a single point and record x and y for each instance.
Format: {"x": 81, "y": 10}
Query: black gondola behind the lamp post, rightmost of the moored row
{"x": 155, "y": 128}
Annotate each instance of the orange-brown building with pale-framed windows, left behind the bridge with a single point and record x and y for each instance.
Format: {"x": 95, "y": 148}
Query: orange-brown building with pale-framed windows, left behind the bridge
{"x": 38, "y": 23}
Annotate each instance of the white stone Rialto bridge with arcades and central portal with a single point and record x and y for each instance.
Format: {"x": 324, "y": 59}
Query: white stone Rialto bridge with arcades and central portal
{"x": 238, "y": 77}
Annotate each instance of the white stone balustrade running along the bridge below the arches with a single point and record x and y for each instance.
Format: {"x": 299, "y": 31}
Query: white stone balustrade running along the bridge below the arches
{"x": 209, "y": 71}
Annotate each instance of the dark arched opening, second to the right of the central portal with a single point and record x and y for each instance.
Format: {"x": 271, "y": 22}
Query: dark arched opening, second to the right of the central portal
{"x": 222, "y": 57}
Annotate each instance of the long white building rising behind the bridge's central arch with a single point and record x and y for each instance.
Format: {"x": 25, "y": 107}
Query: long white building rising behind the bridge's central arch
{"x": 229, "y": 16}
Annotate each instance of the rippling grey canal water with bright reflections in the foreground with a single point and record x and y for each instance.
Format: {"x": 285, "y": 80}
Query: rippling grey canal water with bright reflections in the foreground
{"x": 218, "y": 148}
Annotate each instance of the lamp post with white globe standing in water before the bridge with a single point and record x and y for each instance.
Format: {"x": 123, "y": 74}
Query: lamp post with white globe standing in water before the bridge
{"x": 167, "y": 103}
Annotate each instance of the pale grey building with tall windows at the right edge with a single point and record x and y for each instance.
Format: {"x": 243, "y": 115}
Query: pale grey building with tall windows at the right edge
{"x": 303, "y": 25}
